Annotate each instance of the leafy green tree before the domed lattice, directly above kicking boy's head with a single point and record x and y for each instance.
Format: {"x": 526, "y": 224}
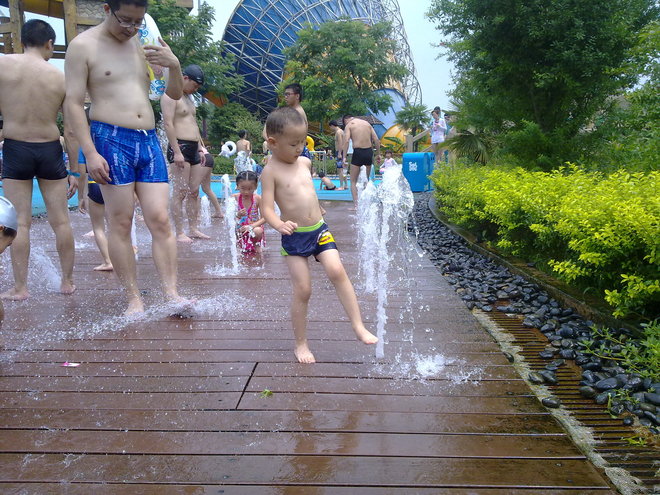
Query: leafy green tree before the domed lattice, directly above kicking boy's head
{"x": 340, "y": 64}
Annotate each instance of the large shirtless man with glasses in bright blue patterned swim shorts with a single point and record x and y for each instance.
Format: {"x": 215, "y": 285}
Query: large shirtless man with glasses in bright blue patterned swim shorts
{"x": 121, "y": 146}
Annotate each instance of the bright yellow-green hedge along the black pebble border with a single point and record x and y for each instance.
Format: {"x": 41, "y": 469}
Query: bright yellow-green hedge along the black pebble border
{"x": 589, "y": 229}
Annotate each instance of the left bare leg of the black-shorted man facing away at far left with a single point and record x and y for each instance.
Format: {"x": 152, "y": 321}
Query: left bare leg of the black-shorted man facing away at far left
{"x": 19, "y": 192}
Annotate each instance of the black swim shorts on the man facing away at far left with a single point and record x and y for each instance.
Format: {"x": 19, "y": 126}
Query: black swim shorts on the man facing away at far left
{"x": 25, "y": 161}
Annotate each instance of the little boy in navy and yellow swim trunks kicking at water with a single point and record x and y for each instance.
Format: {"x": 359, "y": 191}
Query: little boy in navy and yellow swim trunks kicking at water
{"x": 287, "y": 180}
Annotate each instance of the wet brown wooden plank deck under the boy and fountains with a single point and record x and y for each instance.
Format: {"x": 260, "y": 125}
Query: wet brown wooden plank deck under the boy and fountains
{"x": 169, "y": 405}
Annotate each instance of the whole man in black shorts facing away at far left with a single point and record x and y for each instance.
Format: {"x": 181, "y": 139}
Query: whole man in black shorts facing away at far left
{"x": 31, "y": 94}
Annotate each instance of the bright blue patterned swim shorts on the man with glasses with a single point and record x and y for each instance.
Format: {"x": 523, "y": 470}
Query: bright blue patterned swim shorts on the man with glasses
{"x": 133, "y": 155}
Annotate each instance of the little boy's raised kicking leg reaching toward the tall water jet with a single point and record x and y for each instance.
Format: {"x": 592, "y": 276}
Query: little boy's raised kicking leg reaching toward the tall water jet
{"x": 346, "y": 293}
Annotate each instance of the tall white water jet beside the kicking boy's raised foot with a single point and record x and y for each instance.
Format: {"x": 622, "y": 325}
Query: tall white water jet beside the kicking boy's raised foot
{"x": 382, "y": 238}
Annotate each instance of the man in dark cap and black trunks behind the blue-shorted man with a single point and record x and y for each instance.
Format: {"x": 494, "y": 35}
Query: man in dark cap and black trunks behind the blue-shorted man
{"x": 185, "y": 154}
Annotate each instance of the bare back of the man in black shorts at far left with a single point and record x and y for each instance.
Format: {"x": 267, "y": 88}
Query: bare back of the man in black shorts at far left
{"x": 31, "y": 94}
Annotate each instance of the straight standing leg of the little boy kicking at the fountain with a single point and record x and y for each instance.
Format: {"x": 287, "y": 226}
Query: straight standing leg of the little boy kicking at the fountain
{"x": 301, "y": 283}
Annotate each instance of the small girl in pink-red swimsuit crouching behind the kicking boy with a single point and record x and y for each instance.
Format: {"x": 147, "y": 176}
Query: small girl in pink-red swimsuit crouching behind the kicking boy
{"x": 249, "y": 228}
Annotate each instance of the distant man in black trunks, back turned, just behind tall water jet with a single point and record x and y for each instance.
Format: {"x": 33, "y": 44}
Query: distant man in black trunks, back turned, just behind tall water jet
{"x": 364, "y": 140}
